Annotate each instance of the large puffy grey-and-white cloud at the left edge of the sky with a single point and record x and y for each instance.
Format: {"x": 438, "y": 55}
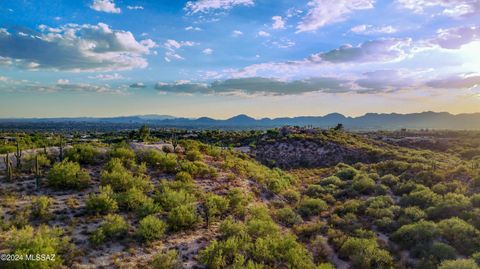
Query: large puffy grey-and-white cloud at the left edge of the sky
{"x": 75, "y": 47}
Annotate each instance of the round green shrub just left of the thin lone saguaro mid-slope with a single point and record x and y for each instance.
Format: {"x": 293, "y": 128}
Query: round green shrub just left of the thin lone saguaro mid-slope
{"x": 182, "y": 217}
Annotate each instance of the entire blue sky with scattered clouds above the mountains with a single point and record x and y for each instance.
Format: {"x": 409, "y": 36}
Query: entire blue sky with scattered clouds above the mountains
{"x": 220, "y": 58}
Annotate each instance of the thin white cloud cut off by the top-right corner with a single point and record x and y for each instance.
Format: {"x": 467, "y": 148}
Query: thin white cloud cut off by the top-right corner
{"x": 451, "y": 8}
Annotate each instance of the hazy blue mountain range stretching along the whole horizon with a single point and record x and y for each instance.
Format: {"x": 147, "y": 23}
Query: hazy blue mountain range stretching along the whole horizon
{"x": 369, "y": 121}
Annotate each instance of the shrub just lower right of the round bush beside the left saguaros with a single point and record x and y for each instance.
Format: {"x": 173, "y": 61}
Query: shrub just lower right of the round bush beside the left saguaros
{"x": 104, "y": 202}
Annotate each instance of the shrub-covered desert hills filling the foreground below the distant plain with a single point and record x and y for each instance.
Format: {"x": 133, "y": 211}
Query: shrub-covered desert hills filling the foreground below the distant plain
{"x": 157, "y": 199}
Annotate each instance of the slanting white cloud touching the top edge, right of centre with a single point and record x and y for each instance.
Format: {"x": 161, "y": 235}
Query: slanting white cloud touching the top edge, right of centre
{"x": 324, "y": 12}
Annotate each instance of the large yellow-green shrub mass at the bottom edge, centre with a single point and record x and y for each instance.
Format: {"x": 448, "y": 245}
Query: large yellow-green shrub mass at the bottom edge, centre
{"x": 259, "y": 243}
